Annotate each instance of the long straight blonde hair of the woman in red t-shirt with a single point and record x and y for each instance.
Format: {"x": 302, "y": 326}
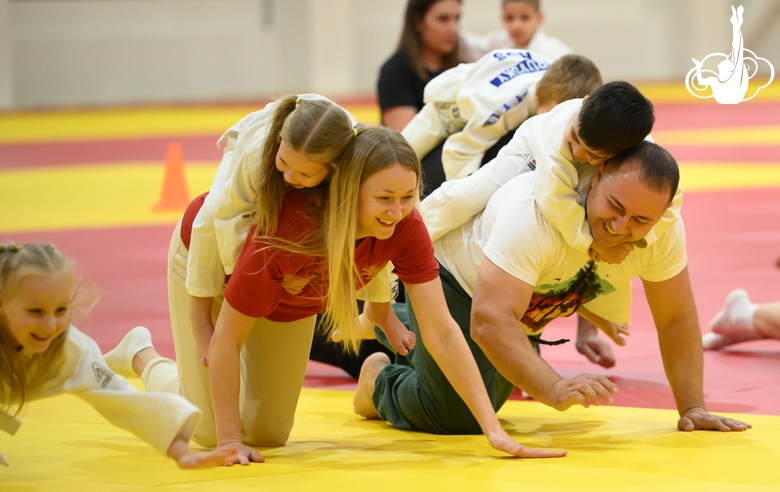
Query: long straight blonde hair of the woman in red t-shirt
{"x": 373, "y": 150}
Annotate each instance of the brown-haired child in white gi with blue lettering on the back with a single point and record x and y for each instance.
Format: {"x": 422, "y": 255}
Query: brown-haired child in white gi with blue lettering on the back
{"x": 472, "y": 106}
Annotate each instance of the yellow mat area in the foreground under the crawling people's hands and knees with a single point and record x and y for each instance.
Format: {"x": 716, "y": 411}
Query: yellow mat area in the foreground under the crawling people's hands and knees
{"x": 64, "y": 445}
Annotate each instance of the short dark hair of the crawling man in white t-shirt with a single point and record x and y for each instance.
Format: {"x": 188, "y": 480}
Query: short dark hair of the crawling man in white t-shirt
{"x": 658, "y": 170}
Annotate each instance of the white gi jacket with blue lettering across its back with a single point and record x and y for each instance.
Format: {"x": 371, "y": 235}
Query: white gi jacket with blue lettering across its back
{"x": 473, "y": 105}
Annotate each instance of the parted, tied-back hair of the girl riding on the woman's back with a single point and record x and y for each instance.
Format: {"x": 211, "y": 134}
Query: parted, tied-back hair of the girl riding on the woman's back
{"x": 316, "y": 128}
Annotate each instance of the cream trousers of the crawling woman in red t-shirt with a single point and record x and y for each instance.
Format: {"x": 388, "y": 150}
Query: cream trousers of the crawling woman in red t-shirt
{"x": 273, "y": 365}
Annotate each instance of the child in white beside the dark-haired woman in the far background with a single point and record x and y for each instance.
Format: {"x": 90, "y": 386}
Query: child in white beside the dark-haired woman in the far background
{"x": 522, "y": 30}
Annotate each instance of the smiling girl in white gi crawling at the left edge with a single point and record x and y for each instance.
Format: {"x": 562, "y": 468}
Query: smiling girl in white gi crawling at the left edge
{"x": 44, "y": 355}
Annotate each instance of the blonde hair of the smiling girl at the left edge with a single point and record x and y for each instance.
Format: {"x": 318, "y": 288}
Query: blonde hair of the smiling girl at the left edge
{"x": 20, "y": 375}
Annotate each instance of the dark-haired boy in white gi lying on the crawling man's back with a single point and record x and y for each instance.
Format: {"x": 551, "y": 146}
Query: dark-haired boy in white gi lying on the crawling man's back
{"x": 560, "y": 145}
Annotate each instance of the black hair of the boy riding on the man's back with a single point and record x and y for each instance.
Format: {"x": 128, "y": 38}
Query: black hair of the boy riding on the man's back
{"x": 615, "y": 117}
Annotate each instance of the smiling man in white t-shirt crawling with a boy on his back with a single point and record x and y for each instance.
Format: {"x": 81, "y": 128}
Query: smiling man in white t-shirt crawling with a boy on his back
{"x": 521, "y": 274}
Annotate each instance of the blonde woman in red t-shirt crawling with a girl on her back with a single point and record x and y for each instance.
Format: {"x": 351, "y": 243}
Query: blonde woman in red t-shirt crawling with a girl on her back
{"x": 366, "y": 220}
